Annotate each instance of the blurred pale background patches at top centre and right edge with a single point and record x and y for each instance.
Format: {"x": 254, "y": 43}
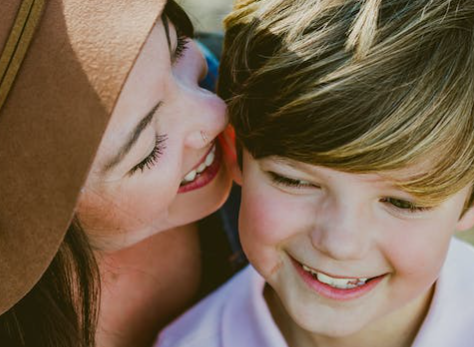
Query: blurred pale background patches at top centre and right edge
{"x": 207, "y": 16}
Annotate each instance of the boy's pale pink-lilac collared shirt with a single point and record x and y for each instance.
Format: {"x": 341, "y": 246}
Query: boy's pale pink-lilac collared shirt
{"x": 236, "y": 315}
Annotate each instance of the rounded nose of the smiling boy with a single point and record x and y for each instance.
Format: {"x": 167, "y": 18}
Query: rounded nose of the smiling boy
{"x": 342, "y": 232}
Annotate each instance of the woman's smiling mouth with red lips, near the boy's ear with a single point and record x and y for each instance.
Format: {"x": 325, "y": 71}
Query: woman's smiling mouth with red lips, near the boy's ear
{"x": 204, "y": 172}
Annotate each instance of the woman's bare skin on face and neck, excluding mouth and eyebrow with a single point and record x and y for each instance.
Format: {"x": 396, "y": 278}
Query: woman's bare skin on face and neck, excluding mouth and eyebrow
{"x": 141, "y": 227}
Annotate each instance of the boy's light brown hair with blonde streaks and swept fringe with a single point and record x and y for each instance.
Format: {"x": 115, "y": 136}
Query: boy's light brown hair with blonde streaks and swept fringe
{"x": 358, "y": 86}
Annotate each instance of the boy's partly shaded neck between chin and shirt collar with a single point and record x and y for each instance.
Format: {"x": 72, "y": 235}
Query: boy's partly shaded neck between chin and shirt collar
{"x": 396, "y": 330}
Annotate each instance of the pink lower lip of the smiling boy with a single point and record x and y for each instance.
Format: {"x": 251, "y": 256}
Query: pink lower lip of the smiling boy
{"x": 332, "y": 293}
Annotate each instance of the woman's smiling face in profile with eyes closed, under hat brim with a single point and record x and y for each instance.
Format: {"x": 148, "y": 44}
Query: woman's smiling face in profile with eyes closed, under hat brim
{"x": 159, "y": 165}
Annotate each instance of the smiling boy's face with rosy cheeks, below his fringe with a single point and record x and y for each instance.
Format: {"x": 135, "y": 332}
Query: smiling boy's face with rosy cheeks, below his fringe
{"x": 297, "y": 219}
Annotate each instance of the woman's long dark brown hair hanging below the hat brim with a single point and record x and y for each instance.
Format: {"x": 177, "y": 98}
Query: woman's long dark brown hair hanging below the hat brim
{"x": 61, "y": 310}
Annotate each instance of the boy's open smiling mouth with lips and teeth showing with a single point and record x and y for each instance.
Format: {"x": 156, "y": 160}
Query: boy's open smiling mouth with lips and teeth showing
{"x": 335, "y": 287}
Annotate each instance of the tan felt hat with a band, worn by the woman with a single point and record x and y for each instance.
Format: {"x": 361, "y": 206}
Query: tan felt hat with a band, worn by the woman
{"x": 63, "y": 64}
